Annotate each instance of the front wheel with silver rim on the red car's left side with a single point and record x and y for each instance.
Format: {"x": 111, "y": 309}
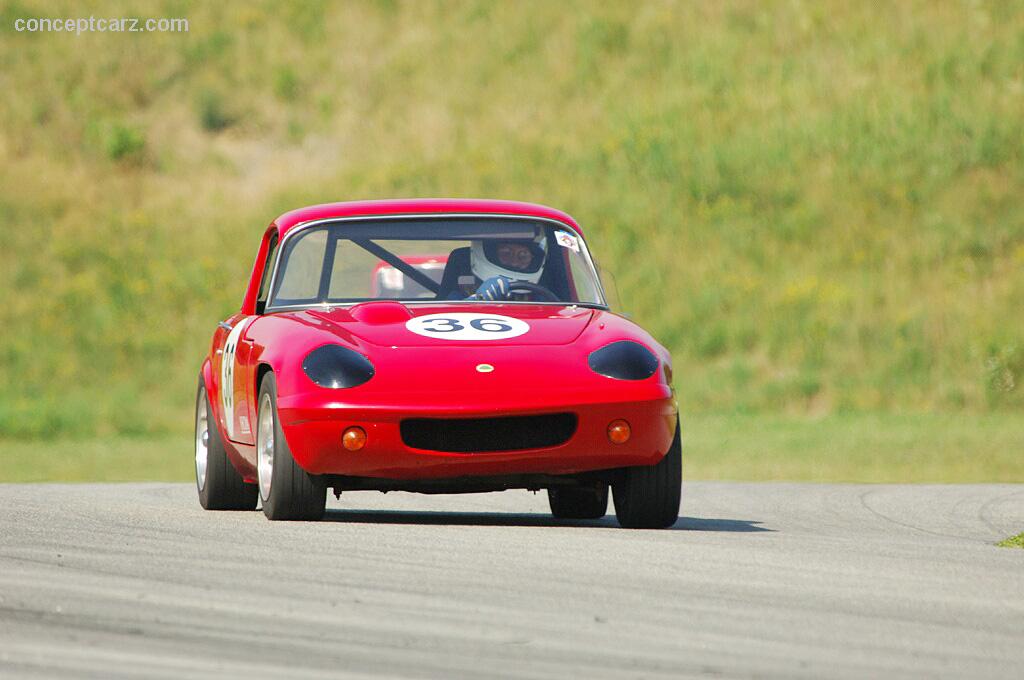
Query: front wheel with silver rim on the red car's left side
{"x": 293, "y": 493}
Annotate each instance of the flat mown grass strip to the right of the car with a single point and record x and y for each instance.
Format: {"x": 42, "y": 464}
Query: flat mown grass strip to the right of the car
{"x": 856, "y": 448}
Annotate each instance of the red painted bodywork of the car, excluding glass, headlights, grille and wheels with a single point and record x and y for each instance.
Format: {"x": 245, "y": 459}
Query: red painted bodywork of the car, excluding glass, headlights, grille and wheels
{"x": 543, "y": 371}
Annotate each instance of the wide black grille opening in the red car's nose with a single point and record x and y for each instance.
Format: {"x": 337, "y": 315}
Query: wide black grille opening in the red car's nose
{"x": 472, "y": 436}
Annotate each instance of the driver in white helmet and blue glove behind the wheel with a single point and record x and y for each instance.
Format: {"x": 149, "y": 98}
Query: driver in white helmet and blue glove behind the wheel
{"x": 500, "y": 263}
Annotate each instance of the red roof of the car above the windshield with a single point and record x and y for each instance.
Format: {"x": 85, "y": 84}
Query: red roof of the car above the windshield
{"x": 294, "y": 219}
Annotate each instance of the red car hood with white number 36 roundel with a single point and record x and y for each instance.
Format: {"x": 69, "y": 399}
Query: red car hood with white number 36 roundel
{"x": 389, "y": 323}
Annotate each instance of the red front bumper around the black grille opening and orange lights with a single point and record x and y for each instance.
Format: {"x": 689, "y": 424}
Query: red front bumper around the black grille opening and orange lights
{"x": 313, "y": 426}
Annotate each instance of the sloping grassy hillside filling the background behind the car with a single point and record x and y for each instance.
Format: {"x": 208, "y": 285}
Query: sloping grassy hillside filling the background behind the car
{"x": 819, "y": 207}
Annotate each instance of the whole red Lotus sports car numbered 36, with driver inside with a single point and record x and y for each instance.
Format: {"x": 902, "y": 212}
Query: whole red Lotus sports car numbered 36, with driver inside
{"x": 506, "y": 371}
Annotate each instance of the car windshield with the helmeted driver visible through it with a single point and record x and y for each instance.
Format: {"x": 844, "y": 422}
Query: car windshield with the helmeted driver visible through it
{"x": 459, "y": 260}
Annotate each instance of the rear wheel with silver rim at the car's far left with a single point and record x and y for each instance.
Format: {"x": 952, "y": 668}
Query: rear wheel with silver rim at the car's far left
{"x": 220, "y": 485}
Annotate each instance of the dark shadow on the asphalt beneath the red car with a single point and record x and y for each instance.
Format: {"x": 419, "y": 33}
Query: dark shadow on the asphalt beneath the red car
{"x": 436, "y": 518}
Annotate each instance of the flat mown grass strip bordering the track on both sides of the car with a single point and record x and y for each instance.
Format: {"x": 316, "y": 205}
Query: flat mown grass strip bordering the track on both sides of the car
{"x": 862, "y": 448}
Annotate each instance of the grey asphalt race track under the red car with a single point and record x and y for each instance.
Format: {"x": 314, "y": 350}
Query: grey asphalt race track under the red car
{"x": 767, "y": 580}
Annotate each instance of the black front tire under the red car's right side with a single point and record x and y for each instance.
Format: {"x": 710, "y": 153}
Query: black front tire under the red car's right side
{"x": 648, "y": 497}
